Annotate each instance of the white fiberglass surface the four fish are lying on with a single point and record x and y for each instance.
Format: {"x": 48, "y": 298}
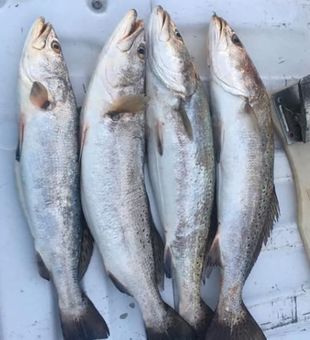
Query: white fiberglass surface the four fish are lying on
{"x": 277, "y": 36}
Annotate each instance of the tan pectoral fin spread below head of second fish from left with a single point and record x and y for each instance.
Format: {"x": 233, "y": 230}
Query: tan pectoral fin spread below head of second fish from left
{"x": 127, "y": 104}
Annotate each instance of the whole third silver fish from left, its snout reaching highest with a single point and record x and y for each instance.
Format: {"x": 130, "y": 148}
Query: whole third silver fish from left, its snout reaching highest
{"x": 180, "y": 162}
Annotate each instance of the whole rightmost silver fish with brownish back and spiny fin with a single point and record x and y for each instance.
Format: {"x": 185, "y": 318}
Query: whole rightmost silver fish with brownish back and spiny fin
{"x": 246, "y": 198}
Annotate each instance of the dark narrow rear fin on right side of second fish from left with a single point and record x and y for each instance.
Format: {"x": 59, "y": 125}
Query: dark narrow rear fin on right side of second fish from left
{"x": 158, "y": 248}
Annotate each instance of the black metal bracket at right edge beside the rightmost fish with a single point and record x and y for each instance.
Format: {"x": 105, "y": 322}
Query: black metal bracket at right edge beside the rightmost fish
{"x": 293, "y": 110}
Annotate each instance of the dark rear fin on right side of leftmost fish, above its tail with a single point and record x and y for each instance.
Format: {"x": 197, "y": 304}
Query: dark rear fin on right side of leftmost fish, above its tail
{"x": 87, "y": 247}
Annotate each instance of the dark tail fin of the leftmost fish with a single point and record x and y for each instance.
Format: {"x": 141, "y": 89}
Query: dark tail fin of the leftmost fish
{"x": 85, "y": 325}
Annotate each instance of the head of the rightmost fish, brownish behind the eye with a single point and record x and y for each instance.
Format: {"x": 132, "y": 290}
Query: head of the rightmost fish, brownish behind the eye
{"x": 229, "y": 61}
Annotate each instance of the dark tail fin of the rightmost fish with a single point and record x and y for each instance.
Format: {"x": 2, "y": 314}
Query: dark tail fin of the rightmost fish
{"x": 243, "y": 328}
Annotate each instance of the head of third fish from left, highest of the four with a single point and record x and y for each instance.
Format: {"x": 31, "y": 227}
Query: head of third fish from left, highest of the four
{"x": 168, "y": 56}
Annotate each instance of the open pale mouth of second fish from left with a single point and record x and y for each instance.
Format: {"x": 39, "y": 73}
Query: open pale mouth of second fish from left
{"x": 128, "y": 30}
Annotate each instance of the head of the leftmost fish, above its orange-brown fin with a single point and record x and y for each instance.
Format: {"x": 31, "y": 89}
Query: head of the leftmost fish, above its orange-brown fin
{"x": 42, "y": 56}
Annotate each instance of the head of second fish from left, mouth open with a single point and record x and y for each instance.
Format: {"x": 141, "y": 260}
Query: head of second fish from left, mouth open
{"x": 124, "y": 54}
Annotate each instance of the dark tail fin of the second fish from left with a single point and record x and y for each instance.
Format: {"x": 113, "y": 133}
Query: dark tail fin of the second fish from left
{"x": 175, "y": 328}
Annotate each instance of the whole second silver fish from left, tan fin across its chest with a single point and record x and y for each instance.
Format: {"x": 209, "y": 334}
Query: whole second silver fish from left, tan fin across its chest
{"x": 113, "y": 190}
